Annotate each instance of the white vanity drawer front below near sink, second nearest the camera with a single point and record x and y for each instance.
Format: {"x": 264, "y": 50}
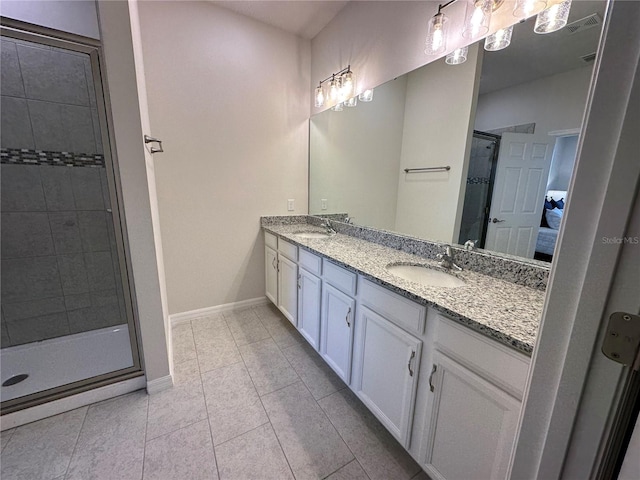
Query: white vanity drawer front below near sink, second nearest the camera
{"x": 403, "y": 312}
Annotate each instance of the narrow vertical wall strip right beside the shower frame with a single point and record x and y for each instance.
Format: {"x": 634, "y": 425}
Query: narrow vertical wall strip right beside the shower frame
{"x": 127, "y": 138}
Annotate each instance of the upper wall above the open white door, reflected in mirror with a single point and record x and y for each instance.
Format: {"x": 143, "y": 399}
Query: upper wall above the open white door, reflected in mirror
{"x": 552, "y": 103}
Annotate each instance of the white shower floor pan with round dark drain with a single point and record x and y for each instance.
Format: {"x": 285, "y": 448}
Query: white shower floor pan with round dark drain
{"x": 60, "y": 361}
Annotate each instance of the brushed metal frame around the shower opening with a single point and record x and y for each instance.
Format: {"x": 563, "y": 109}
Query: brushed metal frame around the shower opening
{"x": 11, "y": 28}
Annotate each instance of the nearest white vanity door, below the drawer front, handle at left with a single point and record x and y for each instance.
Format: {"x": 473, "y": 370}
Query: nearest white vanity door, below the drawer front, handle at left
{"x": 472, "y": 426}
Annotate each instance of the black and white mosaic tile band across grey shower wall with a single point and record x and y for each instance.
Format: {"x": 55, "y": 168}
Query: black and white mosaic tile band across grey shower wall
{"x": 23, "y": 156}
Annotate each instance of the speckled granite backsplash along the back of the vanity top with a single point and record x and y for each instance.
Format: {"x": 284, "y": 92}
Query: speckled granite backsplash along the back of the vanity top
{"x": 528, "y": 273}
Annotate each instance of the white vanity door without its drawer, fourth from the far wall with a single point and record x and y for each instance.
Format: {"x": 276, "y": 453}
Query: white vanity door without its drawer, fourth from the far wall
{"x": 336, "y": 331}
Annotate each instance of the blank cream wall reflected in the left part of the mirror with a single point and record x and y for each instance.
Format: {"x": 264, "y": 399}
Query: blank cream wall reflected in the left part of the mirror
{"x": 355, "y": 158}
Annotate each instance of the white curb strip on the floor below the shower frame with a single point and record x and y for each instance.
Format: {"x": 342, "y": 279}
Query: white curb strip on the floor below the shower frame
{"x": 32, "y": 414}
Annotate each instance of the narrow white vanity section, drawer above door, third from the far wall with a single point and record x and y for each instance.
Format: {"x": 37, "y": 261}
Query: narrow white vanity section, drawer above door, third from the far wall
{"x": 309, "y": 297}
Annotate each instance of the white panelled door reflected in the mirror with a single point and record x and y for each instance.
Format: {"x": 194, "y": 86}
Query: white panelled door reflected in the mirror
{"x": 521, "y": 179}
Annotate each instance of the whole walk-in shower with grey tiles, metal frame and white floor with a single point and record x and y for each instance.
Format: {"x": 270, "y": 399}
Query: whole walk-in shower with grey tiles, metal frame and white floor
{"x": 67, "y": 316}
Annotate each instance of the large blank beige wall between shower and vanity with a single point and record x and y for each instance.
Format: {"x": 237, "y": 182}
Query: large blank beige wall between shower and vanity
{"x": 229, "y": 96}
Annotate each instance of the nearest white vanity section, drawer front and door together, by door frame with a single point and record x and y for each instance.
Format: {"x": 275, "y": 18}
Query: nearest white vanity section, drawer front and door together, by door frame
{"x": 475, "y": 388}
